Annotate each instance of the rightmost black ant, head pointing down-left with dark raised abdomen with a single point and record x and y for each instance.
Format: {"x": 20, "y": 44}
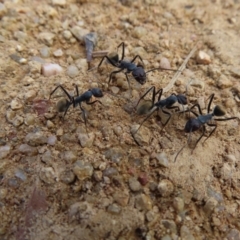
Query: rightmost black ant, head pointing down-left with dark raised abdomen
{"x": 193, "y": 124}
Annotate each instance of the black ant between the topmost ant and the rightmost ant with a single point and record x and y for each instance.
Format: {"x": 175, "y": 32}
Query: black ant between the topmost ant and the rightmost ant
{"x": 164, "y": 104}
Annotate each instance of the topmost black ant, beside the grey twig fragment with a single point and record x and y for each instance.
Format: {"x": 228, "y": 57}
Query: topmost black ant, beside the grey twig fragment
{"x": 138, "y": 72}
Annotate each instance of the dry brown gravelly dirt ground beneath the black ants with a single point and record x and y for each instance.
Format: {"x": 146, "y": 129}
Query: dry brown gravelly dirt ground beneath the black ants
{"x": 59, "y": 181}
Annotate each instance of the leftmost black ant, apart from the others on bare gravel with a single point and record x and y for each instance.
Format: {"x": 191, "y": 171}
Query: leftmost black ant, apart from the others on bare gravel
{"x": 64, "y": 105}
